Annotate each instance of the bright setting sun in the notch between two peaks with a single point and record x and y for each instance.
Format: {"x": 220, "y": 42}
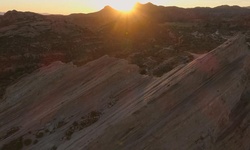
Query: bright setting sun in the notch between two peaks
{"x": 125, "y": 6}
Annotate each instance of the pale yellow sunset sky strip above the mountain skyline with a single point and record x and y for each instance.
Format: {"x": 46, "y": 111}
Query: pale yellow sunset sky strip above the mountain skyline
{"x": 87, "y": 6}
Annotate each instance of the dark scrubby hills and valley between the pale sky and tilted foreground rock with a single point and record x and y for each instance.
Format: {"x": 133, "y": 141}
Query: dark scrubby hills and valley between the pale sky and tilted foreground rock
{"x": 155, "y": 38}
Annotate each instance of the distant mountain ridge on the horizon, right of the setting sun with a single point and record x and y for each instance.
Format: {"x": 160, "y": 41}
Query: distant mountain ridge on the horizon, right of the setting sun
{"x": 173, "y": 14}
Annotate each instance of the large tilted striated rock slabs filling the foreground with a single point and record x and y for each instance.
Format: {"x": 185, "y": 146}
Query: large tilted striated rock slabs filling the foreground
{"x": 107, "y": 104}
